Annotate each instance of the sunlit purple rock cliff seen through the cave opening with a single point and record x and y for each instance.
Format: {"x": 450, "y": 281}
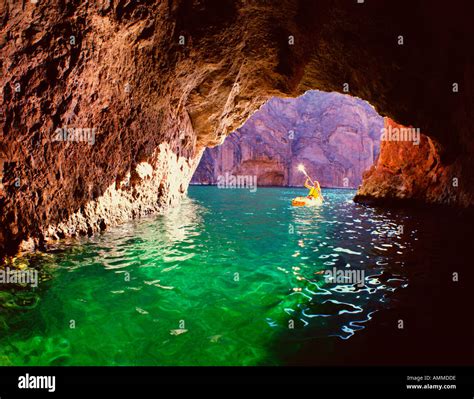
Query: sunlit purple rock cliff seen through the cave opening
{"x": 336, "y": 137}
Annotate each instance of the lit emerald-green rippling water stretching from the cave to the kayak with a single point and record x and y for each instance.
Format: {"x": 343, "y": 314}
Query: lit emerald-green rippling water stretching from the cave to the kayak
{"x": 229, "y": 278}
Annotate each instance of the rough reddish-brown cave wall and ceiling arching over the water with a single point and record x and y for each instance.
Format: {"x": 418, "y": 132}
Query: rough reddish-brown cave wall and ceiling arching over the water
{"x": 138, "y": 90}
